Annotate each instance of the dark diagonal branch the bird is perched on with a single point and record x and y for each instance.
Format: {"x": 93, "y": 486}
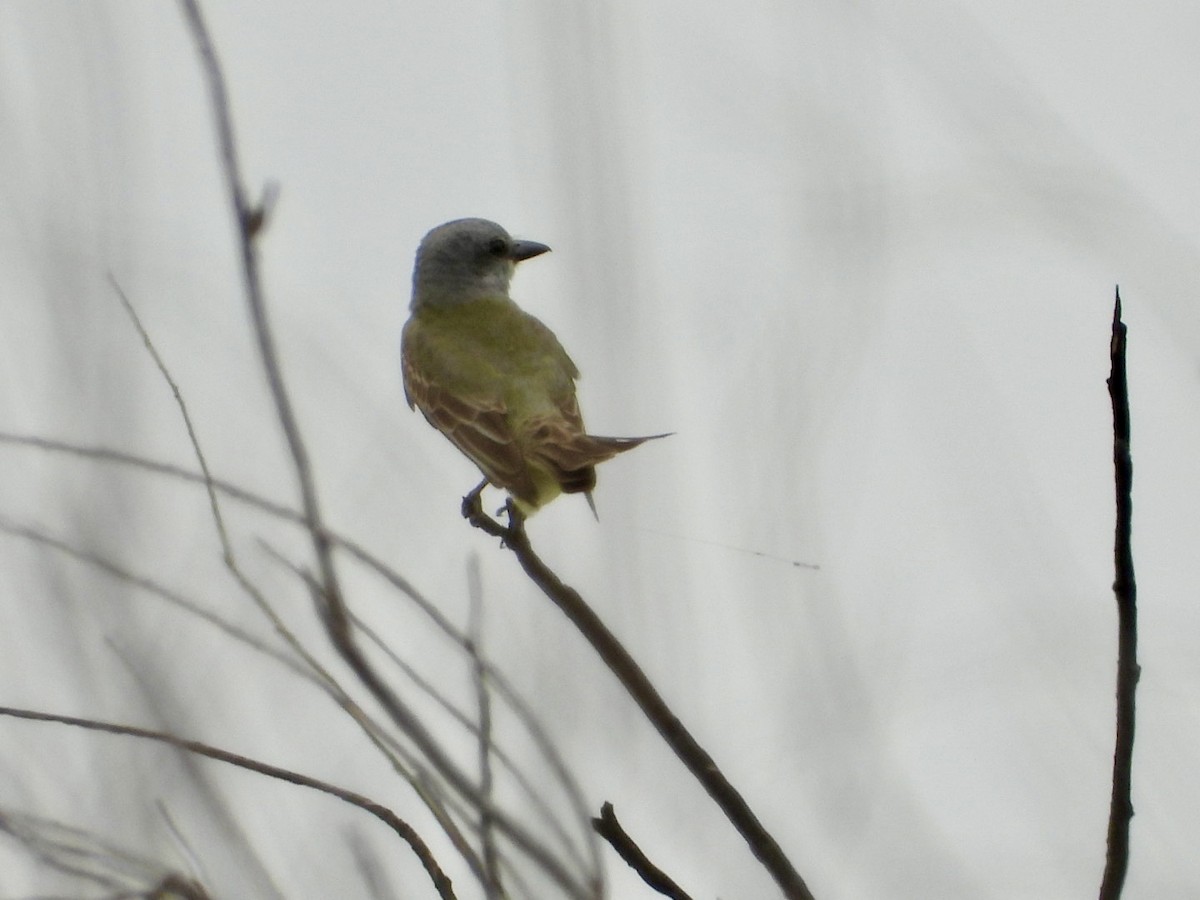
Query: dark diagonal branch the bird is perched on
{"x": 645, "y": 694}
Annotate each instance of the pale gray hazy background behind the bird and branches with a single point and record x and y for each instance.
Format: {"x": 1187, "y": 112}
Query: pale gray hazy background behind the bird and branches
{"x": 860, "y": 257}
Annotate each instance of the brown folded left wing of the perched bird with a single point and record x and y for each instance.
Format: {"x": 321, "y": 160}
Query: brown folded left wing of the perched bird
{"x": 473, "y": 417}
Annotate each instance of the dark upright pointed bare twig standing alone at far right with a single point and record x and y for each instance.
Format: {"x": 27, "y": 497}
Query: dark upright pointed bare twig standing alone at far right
{"x": 1126, "y": 590}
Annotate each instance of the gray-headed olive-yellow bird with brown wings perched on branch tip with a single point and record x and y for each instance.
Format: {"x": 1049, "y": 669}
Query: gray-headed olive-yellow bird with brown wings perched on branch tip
{"x": 491, "y": 377}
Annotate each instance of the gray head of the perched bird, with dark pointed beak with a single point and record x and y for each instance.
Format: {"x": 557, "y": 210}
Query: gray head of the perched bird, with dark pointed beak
{"x": 467, "y": 260}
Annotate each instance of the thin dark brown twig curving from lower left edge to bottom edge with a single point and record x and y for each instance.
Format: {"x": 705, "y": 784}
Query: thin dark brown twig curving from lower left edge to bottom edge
{"x": 441, "y": 881}
